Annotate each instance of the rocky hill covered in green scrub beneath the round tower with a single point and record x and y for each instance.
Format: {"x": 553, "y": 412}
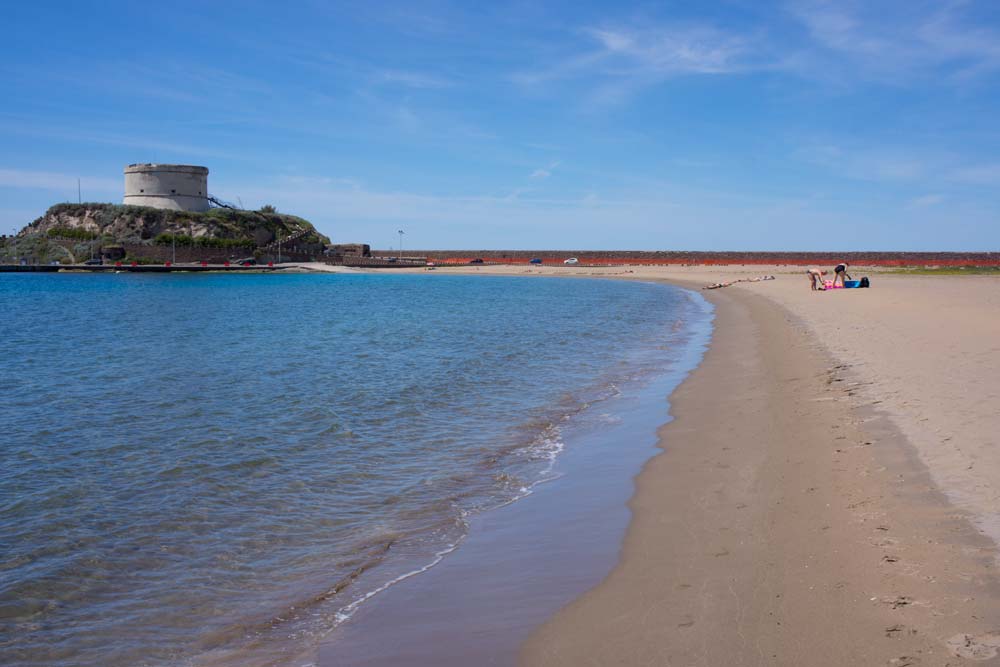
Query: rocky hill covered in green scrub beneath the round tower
{"x": 113, "y": 223}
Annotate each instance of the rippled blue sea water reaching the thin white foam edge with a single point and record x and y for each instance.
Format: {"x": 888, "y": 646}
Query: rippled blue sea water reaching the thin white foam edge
{"x": 195, "y": 466}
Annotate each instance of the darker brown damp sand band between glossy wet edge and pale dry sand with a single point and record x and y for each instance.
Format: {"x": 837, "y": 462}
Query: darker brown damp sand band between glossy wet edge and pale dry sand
{"x": 802, "y": 529}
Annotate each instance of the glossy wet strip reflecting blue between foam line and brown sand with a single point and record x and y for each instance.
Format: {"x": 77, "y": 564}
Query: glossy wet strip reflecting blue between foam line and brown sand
{"x": 535, "y": 554}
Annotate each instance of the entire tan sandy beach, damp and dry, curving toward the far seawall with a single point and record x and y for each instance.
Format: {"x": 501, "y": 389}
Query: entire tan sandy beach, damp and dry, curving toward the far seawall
{"x": 827, "y": 495}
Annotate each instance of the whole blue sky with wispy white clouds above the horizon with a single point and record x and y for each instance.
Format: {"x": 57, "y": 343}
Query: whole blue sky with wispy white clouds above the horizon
{"x": 799, "y": 125}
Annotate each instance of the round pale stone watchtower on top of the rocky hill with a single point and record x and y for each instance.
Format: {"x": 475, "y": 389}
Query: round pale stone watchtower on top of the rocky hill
{"x": 180, "y": 187}
